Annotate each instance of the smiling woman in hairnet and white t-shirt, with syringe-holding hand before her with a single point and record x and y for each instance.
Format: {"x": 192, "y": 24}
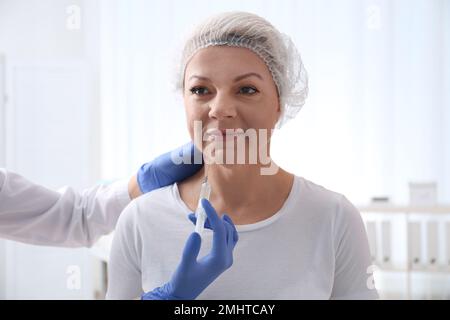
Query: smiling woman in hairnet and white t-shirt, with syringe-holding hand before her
{"x": 297, "y": 240}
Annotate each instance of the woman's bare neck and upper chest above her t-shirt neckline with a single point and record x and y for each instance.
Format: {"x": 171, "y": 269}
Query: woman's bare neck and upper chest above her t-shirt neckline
{"x": 240, "y": 190}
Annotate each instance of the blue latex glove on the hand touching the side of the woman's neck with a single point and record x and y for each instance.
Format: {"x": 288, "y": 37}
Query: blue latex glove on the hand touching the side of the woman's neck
{"x": 162, "y": 171}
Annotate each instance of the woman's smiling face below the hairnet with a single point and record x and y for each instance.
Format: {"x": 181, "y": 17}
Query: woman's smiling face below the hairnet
{"x": 229, "y": 88}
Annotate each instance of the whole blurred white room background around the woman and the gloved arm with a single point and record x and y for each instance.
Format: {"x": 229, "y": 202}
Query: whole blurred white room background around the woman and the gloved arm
{"x": 86, "y": 97}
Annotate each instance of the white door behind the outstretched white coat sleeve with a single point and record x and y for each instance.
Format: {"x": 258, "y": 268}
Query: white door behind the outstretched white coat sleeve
{"x": 48, "y": 140}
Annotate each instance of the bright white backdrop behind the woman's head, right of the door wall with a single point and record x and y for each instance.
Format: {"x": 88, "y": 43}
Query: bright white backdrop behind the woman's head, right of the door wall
{"x": 377, "y": 114}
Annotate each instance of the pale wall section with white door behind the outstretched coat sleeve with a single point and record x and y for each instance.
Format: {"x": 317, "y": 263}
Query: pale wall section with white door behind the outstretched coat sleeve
{"x": 51, "y": 128}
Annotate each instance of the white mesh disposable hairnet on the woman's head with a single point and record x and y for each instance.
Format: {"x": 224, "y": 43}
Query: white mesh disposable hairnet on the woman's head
{"x": 276, "y": 49}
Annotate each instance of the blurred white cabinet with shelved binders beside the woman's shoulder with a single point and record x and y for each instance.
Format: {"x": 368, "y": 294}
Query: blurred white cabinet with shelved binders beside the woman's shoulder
{"x": 410, "y": 247}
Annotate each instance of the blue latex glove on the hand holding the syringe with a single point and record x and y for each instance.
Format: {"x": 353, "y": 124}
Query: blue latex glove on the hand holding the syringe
{"x": 191, "y": 276}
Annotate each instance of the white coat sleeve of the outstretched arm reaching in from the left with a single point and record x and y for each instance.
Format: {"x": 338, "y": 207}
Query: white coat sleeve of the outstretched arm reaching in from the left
{"x": 33, "y": 214}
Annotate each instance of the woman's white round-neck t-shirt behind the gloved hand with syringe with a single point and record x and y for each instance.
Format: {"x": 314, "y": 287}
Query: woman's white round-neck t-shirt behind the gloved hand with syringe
{"x": 314, "y": 247}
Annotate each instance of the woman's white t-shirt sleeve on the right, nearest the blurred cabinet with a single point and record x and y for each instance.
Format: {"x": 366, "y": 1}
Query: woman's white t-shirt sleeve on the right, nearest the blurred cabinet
{"x": 353, "y": 278}
